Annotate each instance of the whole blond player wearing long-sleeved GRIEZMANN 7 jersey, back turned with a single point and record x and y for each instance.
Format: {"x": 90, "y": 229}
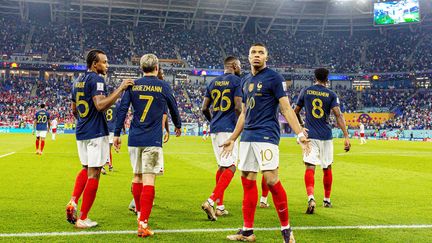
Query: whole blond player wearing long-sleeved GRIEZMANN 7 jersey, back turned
{"x": 148, "y": 97}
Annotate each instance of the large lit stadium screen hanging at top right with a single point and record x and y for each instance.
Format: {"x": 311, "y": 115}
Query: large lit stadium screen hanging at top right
{"x": 391, "y": 12}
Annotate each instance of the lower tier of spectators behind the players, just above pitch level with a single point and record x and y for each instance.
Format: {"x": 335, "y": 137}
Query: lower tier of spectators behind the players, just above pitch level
{"x": 20, "y": 98}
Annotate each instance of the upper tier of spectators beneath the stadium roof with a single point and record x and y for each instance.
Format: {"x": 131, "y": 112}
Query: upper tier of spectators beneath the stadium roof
{"x": 392, "y": 51}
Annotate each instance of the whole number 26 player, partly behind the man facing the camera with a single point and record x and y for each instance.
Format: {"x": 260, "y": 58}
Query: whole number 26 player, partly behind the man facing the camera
{"x": 225, "y": 96}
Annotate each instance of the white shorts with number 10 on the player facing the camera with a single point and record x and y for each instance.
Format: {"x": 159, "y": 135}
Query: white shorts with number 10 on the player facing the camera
{"x": 255, "y": 156}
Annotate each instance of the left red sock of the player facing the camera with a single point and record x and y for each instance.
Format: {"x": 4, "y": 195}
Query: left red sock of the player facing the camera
{"x": 250, "y": 199}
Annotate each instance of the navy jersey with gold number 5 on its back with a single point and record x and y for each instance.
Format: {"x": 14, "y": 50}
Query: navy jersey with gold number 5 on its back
{"x": 91, "y": 123}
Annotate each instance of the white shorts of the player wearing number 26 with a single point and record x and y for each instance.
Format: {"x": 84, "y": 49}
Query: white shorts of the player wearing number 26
{"x": 217, "y": 140}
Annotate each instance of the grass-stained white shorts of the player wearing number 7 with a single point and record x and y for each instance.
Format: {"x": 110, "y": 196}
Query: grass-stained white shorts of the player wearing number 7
{"x": 147, "y": 160}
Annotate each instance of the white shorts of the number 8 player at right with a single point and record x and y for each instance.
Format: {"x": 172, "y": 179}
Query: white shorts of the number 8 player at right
{"x": 321, "y": 153}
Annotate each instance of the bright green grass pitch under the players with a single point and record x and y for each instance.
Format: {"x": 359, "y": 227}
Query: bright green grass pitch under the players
{"x": 380, "y": 183}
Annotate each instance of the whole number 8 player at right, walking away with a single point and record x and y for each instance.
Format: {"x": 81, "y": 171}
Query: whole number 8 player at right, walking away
{"x": 318, "y": 102}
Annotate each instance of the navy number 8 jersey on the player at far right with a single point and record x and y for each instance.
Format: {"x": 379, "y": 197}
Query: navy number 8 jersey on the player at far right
{"x": 318, "y": 102}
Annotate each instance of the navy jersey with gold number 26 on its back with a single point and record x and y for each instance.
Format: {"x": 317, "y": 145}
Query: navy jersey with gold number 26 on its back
{"x": 221, "y": 91}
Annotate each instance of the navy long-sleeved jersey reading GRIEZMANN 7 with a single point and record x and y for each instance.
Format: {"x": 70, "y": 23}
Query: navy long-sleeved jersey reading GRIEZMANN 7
{"x": 149, "y": 96}
